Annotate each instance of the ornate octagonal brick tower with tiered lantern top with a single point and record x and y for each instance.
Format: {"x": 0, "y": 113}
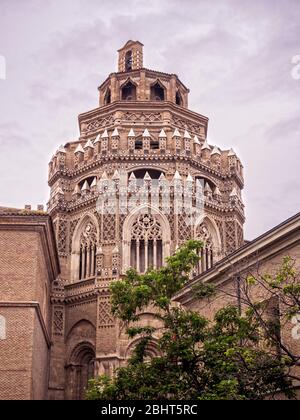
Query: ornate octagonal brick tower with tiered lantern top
{"x": 141, "y": 135}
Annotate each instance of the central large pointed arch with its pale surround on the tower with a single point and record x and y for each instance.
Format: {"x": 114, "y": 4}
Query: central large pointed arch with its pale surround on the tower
{"x": 146, "y": 238}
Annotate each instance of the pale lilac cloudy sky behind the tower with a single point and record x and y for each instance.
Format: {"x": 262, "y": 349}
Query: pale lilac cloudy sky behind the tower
{"x": 234, "y": 55}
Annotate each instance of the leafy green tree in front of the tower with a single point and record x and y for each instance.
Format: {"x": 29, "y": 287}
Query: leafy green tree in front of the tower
{"x": 199, "y": 359}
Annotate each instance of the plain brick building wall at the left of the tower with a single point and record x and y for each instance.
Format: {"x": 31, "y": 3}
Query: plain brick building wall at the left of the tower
{"x": 25, "y": 304}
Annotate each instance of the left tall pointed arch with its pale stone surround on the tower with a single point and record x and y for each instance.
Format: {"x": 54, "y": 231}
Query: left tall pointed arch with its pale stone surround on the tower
{"x": 84, "y": 248}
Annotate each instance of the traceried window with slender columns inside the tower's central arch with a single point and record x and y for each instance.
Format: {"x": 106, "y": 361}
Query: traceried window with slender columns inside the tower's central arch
{"x": 146, "y": 243}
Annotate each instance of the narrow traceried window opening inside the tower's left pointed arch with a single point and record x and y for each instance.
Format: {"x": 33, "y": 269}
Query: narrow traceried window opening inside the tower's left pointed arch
{"x": 88, "y": 250}
